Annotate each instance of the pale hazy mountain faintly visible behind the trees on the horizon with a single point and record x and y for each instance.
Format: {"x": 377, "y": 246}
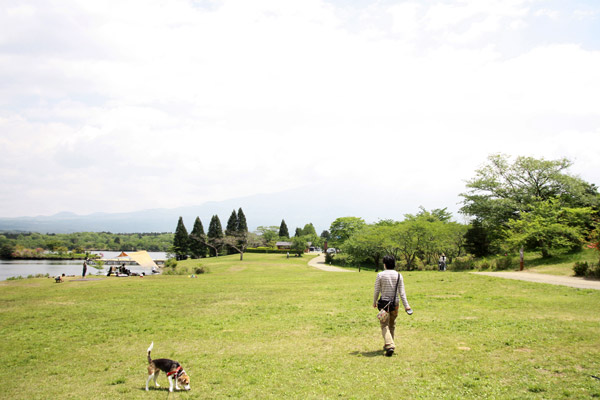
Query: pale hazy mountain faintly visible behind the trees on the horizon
{"x": 319, "y": 205}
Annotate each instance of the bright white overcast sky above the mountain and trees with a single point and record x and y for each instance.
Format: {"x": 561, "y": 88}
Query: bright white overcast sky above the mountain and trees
{"x": 126, "y": 105}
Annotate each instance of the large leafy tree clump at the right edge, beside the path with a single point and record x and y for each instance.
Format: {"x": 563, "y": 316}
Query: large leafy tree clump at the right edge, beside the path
{"x": 528, "y": 203}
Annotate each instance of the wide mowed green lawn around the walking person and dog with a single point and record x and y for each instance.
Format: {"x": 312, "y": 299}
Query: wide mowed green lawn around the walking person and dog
{"x": 273, "y": 328}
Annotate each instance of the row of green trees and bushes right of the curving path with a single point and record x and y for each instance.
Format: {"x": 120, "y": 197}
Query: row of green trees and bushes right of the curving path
{"x": 525, "y": 204}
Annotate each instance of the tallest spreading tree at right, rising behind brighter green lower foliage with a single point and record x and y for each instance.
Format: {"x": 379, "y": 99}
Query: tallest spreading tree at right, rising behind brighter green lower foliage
{"x": 502, "y": 191}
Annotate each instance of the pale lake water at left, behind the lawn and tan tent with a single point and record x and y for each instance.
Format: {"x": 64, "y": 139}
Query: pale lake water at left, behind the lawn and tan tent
{"x": 12, "y": 268}
